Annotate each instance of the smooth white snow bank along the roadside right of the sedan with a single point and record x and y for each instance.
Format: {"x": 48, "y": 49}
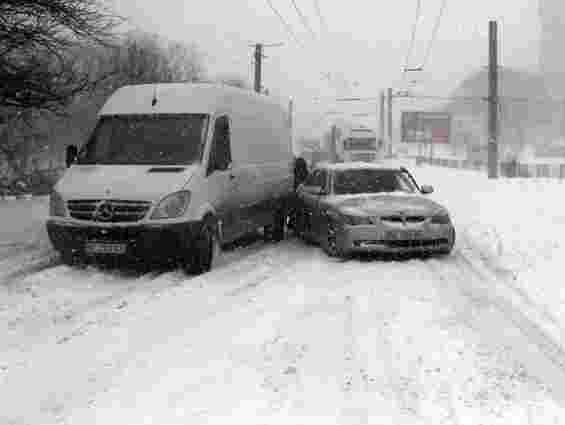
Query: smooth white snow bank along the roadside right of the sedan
{"x": 514, "y": 226}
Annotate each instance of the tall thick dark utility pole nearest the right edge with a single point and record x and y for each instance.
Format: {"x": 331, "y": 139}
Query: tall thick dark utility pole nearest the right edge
{"x": 493, "y": 102}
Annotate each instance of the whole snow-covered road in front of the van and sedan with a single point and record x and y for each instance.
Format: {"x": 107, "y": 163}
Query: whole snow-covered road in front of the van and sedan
{"x": 280, "y": 333}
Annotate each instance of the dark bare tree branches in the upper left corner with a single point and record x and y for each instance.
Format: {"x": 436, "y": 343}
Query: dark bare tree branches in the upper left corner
{"x": 37, "y": 37}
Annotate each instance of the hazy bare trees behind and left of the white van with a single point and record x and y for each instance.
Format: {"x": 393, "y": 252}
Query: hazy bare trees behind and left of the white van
{"x": 132, "y": 58}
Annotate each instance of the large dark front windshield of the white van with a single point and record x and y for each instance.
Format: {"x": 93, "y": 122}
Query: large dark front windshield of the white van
{"x": 160, "y": 139}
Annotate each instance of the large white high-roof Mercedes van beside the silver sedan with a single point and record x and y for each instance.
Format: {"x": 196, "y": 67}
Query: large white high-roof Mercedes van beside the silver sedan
{"x": 172, "y": 172}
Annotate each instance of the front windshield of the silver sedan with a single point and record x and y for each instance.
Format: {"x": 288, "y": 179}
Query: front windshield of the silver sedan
{"x": 372, "y": 181}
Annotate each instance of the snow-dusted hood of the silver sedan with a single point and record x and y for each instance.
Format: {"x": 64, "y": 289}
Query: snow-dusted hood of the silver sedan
{"x": 385, "y": 204}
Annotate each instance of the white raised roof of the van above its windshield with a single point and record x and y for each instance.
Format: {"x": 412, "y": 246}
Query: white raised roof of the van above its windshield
{"x": 203, "y": 98}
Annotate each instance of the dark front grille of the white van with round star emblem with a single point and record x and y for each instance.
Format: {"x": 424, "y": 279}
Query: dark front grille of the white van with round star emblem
{"x": 121, "y": 211}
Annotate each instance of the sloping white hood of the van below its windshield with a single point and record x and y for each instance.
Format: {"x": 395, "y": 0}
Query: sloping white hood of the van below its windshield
{"x": 139, "y": 182}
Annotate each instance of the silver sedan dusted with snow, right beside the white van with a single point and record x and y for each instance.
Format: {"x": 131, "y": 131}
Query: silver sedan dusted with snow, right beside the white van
{"x": 367, "y": 207}
